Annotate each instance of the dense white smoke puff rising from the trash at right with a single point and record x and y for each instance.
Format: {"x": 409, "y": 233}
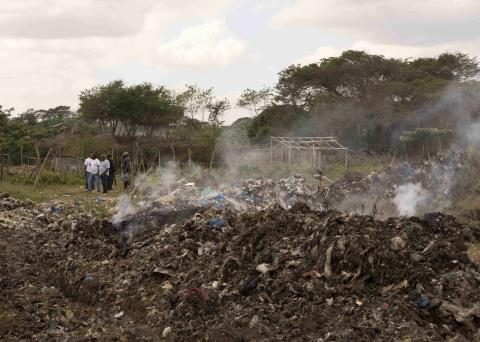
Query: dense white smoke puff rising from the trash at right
{"x": 408, "y": 197}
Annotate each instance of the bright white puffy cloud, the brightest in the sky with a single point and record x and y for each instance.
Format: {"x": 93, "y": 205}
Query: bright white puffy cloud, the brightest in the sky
{"x": 206, "y": 45}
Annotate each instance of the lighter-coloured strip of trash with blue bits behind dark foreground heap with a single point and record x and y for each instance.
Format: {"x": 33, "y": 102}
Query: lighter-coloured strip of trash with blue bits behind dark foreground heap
{"x": 152, "y": 204}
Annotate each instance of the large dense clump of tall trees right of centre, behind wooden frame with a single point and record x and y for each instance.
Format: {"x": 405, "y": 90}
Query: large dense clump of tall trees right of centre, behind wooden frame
{"x": 368, "y": 101}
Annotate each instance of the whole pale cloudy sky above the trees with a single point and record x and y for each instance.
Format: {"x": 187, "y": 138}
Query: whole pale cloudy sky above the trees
{"x": 52, "y": 49}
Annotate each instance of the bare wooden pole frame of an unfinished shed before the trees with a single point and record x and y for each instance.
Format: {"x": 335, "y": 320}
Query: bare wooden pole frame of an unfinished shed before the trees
{"x": 304, "y": 149}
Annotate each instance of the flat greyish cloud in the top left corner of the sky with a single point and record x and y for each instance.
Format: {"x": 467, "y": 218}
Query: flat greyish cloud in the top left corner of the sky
{"x": 49, "y": 19}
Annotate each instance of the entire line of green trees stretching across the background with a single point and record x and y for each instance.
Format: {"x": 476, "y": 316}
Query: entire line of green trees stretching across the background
{"x": 368, "y": 101}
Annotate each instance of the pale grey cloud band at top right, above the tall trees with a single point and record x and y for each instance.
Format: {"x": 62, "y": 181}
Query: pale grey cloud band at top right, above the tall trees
{"x": 387, "y": 21}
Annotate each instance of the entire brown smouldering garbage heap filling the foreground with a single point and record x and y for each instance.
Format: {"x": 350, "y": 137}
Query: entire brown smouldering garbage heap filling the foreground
{"x": 263, "y": 260}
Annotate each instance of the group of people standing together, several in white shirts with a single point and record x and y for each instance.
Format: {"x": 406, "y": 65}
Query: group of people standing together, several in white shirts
{"x": 100, "y": 173}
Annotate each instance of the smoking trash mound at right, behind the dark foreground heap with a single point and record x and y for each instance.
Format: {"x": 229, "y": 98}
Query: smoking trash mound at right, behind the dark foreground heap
{"x": 401, "y": 189}
